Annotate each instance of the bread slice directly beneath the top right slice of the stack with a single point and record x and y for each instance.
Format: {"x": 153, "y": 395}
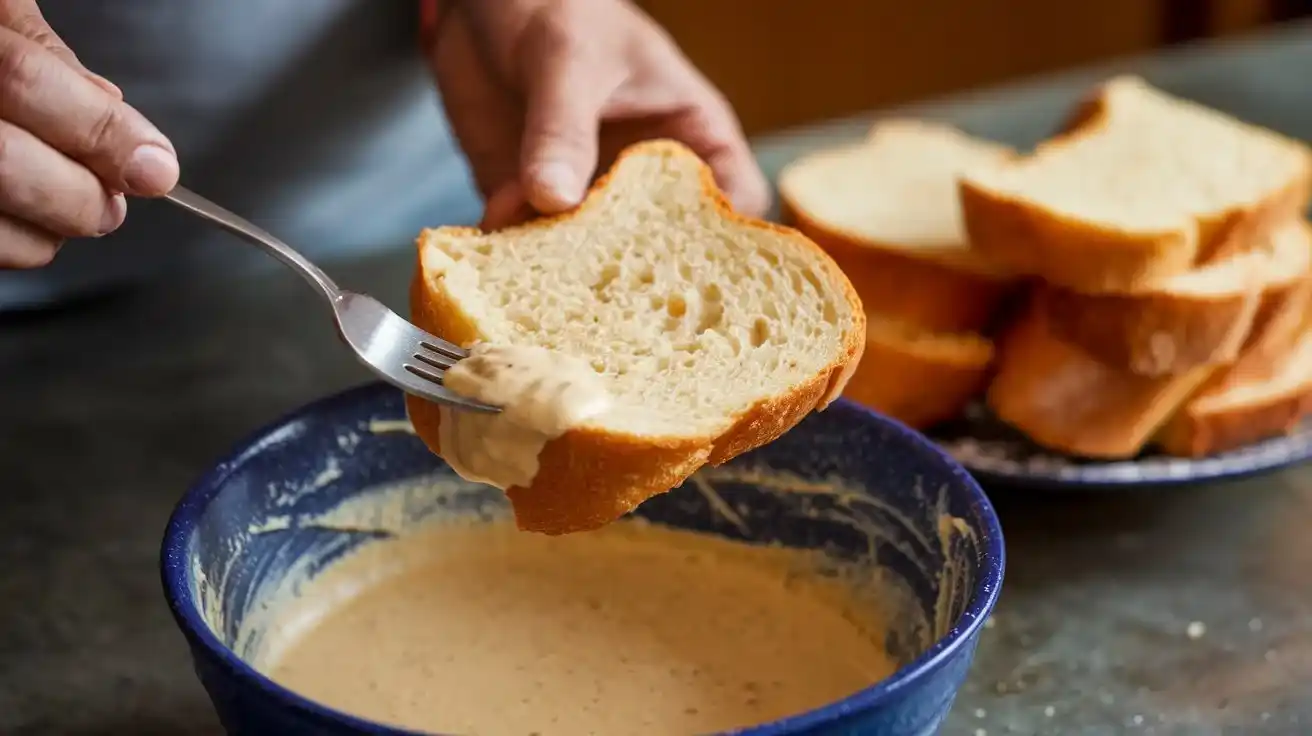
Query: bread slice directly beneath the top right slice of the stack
{"x": 1178, "y": 323}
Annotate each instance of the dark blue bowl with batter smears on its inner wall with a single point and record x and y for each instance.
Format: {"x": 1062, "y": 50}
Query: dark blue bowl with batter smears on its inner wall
{"x": 335, "y": 449}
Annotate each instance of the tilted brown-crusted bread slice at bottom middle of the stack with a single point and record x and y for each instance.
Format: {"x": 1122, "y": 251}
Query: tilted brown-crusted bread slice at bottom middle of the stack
{"x": 1065, "y": 399}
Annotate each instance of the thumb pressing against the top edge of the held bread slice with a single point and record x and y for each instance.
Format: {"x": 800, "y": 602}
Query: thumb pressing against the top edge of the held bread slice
{"x": 560, "y": 152}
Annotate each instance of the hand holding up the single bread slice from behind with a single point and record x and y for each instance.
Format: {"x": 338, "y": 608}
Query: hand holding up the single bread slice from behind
{"x": 540, "y": 92}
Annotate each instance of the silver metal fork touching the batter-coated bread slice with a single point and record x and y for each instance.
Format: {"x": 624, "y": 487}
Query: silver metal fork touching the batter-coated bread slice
{"x": 394, "y": 350}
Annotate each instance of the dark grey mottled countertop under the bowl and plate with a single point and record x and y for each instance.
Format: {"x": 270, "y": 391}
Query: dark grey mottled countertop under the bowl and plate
{"x": 1183, "y": 612}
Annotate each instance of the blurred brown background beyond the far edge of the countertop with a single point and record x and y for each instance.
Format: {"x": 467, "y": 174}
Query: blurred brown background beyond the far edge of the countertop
{"x": 790, "y": 62}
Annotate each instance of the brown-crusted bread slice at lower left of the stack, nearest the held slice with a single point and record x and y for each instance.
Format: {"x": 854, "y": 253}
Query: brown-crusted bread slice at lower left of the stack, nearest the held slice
{"x": 916, "y": 377}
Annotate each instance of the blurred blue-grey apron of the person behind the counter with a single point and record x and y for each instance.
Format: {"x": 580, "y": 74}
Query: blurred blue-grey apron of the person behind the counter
{"x": 316, "y": 119}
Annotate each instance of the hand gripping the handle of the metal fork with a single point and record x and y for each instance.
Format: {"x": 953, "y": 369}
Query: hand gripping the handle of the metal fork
{"x": 70, "y": 148}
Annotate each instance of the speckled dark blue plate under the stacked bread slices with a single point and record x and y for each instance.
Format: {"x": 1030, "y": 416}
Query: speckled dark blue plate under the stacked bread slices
{"x": 996, "y": 453}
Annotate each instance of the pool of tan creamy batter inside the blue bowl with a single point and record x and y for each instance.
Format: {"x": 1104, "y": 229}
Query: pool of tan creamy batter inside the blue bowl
{"x": 632, "y": 630}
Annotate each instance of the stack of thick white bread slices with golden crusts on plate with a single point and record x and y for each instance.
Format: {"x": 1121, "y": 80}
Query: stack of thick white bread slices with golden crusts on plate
{"x": 1143, "y": 279}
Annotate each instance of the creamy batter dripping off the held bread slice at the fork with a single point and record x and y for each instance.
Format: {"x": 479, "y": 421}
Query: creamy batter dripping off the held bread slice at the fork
{"x": 541, "y": 393}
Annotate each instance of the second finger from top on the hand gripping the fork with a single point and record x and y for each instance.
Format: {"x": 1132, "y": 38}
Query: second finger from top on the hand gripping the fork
{"x": 52, "y": 191}
